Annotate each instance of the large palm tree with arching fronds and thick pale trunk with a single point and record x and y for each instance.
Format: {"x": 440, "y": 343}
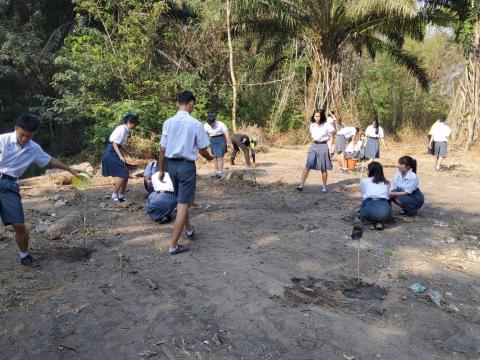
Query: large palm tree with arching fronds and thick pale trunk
{"x": 331, "y": 30}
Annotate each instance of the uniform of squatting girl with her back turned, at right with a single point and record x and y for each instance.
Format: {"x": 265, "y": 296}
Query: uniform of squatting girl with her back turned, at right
{"x": 375, "y": 205}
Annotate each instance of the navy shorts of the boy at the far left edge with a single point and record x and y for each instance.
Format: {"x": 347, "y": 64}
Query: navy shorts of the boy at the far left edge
{"x": 11, "y": 209}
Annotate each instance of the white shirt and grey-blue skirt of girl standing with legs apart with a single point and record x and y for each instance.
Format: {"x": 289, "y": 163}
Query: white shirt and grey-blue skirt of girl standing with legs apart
{"x": 318, "y": 157}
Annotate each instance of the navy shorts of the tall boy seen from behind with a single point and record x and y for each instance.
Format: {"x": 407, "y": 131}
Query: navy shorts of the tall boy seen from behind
{"x": 184, "y": 178}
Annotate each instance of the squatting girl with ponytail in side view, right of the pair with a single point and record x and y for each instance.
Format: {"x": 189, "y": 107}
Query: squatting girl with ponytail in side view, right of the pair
{"x": 405, "y": 191}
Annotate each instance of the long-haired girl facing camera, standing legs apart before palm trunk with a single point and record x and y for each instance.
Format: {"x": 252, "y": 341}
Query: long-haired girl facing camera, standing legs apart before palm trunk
{"x": 318, "y": 155}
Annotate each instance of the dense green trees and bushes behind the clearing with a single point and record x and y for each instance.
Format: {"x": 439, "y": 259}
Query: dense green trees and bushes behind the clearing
{"x": 82, "y": 64}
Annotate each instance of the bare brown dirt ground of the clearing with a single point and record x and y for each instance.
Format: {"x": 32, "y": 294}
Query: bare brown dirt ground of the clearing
{"x": 272, "y": 275}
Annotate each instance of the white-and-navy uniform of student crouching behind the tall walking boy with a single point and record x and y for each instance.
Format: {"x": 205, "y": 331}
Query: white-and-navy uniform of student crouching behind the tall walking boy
{"x": 161, "y": 202}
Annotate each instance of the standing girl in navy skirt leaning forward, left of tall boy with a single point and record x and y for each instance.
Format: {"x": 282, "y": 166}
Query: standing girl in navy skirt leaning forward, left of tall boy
{"x": 113, "y": 162}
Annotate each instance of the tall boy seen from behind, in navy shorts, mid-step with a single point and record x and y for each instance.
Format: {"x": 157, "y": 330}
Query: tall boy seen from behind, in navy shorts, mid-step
{"x": 183, "y": 137}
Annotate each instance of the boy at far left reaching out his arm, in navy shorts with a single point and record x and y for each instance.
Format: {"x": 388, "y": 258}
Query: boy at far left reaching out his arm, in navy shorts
{"x": 17, "y": 152}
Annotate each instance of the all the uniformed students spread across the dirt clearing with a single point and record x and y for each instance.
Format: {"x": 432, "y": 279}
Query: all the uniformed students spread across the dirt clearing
{"x": 171, "y": 180}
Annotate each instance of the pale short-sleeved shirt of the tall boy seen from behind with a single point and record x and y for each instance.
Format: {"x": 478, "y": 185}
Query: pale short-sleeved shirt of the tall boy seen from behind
{"x": 183, "y": 136}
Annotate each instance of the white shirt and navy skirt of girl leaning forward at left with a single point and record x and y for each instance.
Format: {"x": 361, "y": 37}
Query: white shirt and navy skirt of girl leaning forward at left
{"x": 111, "y": 163}
